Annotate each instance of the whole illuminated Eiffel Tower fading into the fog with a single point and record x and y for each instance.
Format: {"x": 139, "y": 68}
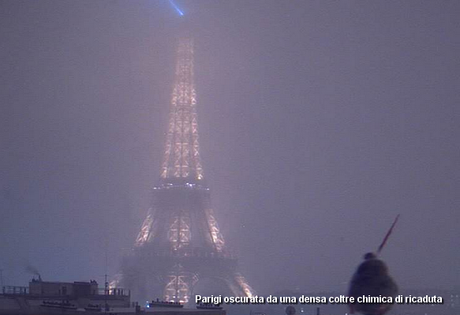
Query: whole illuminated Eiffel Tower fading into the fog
{"x": 180, "y": 242}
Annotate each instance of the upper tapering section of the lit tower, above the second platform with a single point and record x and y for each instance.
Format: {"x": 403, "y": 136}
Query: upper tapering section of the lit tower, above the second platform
{"x": 181, "y": 157}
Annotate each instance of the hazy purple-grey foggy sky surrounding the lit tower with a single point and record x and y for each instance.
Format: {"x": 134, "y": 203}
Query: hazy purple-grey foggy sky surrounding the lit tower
{"x": 319, "y": 123}
